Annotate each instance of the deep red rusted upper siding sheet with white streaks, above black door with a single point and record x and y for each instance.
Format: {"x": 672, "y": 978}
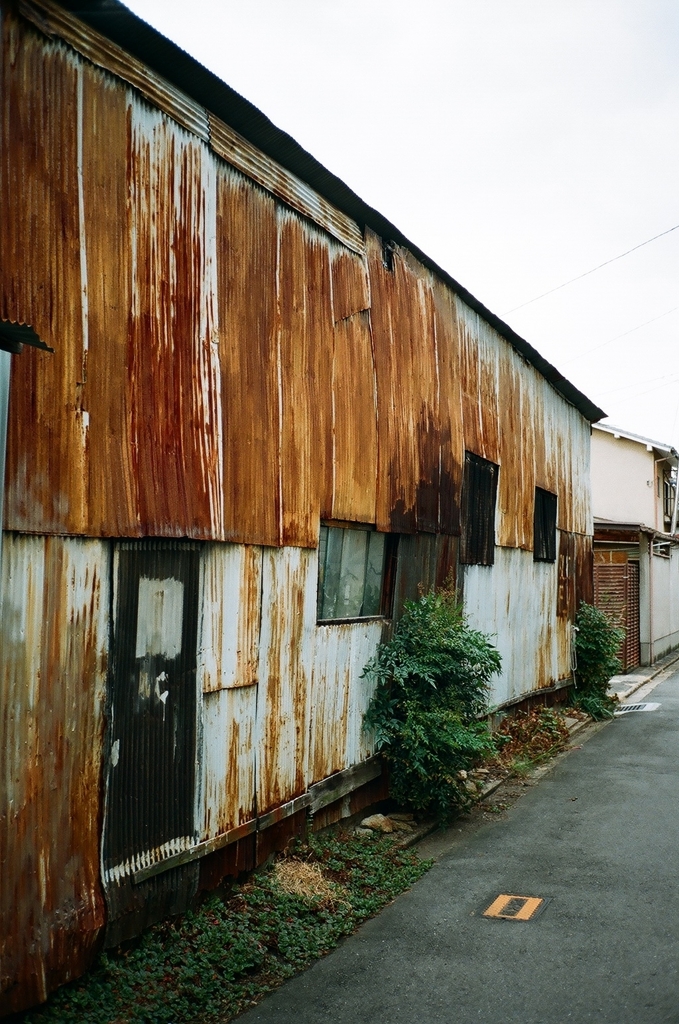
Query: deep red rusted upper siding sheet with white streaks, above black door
{"x": 175, "y": 368}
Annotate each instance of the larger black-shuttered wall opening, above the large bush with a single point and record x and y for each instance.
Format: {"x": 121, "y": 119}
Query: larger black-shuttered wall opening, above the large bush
{"x": 480, "y": 488}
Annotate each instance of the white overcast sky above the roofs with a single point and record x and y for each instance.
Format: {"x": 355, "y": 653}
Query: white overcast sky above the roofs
{"x": 519, "y": 143}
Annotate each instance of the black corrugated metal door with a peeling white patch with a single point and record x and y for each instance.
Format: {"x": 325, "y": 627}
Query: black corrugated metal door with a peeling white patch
{"x": 152, "y": 765}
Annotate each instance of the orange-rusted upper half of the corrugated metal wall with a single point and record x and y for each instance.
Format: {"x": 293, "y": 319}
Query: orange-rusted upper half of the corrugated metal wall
{"x": 177, "y": 292}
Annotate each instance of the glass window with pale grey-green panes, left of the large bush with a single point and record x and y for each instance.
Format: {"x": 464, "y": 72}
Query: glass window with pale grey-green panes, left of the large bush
{"x": 356, "y": 573}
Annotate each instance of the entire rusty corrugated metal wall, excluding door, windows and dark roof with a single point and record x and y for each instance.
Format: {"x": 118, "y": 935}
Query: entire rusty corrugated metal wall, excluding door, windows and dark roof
{"x": 235, "y": 361}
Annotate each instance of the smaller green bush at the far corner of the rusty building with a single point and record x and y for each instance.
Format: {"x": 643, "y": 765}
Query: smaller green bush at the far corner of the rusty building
{"x": 598, "y": 643}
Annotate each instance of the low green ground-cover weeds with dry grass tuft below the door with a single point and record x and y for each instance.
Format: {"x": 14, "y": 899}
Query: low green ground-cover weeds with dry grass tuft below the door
{"x": 215, "y": 962}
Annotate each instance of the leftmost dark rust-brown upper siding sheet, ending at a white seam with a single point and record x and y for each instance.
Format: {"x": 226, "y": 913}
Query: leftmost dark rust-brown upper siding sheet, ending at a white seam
{"x": 41, "y": 280}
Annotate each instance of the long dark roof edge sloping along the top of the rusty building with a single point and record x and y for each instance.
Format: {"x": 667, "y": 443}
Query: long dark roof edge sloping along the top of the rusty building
{"x": 113, "y": 20}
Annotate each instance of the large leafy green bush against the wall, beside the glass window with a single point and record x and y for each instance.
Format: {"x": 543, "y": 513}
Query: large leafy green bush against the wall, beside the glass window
{"x": 433, "y": 682}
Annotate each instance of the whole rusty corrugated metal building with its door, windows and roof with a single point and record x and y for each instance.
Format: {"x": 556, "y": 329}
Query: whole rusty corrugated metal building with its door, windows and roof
{"x": 267, "y": 421}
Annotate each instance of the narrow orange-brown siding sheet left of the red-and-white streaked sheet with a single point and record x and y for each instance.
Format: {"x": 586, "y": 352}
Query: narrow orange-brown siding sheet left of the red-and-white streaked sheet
{"x": 111, "y": 457}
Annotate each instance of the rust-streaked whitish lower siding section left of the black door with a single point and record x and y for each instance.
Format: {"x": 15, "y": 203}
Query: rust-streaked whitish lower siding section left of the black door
{"x": 54, "y": 639}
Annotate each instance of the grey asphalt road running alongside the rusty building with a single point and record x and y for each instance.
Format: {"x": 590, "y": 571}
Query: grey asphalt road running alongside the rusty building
{"x": 599, "y": 839}
